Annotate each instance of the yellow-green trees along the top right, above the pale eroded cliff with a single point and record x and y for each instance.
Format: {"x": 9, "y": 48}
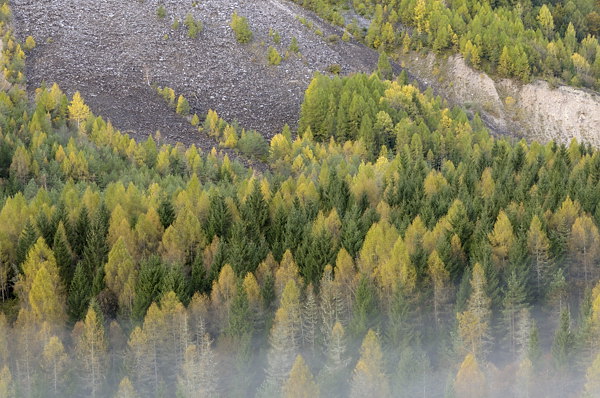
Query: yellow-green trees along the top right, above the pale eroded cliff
{"x": 555, "y": 41}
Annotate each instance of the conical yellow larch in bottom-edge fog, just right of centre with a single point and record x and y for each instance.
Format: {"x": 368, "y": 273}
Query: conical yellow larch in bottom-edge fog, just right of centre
{"x": 369, "y": 378}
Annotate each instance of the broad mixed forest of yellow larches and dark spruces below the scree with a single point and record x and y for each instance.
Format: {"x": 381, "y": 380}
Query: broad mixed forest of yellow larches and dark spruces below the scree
{"x": 391, "y": 247}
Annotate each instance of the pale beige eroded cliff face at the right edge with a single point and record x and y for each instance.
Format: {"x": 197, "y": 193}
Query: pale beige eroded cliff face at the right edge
{"x": 533, "y": 111}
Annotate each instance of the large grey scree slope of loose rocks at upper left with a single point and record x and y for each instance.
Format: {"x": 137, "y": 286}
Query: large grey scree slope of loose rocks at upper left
{"x": 111, "y": 50}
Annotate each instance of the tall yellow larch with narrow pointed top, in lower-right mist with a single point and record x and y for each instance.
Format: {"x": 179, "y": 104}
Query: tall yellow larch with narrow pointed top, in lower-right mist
{"x": 474, "y": 323}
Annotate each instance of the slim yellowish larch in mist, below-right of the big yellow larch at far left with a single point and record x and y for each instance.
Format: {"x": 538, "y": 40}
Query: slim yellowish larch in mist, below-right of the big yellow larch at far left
{"x": 91, "y": 348}
